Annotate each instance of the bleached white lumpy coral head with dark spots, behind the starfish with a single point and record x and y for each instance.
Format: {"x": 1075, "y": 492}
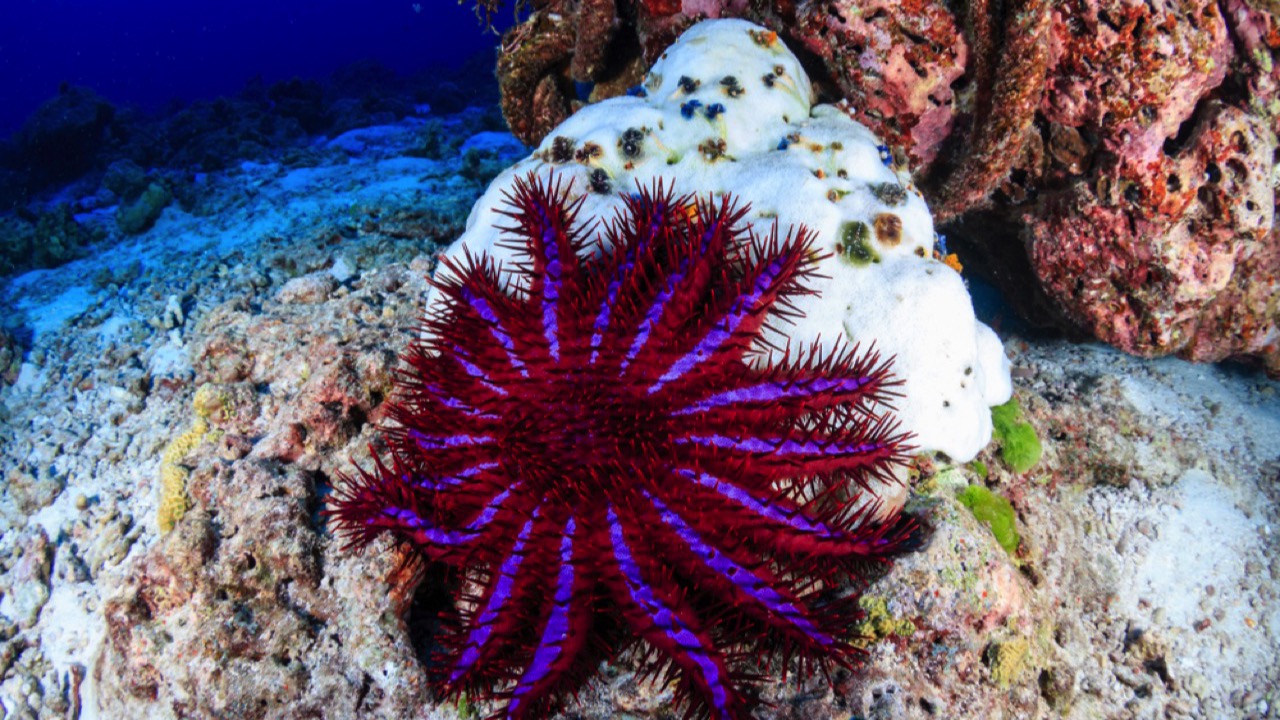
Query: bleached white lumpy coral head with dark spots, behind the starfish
{"x": 728, "y": 110}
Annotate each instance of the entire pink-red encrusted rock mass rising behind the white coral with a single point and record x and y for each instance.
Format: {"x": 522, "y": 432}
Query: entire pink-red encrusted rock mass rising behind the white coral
{"x": 1107, "y": 162}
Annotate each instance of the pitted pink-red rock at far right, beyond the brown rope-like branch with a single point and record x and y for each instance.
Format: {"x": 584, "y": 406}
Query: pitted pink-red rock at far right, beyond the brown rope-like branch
{"x": 1149, "y": 215}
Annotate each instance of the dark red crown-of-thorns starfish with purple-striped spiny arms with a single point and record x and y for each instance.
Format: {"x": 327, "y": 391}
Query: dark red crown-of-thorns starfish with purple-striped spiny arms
{"x": 587, "y": 441}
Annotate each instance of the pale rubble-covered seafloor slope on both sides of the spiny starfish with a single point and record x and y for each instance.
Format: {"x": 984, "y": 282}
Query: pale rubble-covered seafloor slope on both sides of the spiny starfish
{"x": 244, "y": 354}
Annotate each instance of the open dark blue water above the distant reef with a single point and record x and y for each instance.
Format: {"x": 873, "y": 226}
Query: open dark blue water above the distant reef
{"x": 149, "y": 53}
